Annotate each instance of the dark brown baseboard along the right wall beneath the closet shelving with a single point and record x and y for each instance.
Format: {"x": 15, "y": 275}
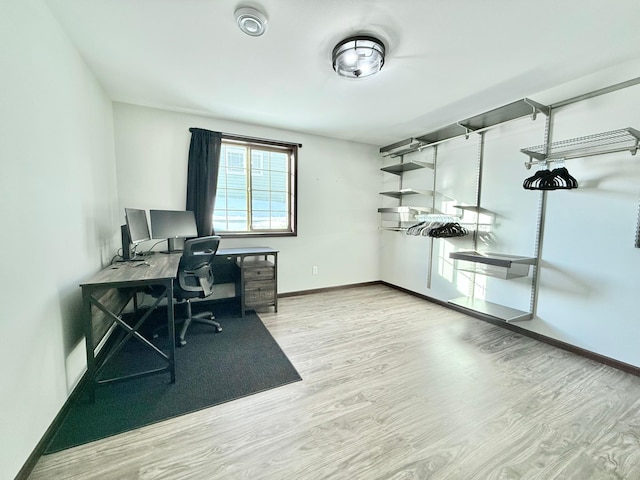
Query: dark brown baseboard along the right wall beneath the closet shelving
{"x": 612, "y": 362}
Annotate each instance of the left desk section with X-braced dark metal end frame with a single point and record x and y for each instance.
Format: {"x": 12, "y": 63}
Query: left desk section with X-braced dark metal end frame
{"x": 127, "y": 278}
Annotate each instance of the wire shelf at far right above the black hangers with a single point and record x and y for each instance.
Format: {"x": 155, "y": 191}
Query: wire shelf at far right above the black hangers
{"x": 625, "y": 139}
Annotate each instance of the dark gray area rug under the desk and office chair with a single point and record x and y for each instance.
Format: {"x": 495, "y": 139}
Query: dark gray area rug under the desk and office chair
{"x": 212, "y": 368}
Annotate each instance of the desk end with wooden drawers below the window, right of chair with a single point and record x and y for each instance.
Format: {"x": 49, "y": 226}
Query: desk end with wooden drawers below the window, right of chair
{"x": 258, "y": 286}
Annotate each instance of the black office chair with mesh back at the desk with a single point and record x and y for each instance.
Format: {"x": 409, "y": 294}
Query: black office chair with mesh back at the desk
{"x": 195, "y": 280}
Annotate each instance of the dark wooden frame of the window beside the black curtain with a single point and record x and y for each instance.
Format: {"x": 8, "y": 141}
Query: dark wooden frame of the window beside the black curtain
{"x": 274, "y": 146}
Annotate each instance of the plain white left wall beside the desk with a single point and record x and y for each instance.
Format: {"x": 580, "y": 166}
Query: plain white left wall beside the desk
{"x": 58, "y": 216}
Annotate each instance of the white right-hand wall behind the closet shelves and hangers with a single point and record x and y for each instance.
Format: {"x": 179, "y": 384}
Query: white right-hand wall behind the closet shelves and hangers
{"x": 589, "y": 266}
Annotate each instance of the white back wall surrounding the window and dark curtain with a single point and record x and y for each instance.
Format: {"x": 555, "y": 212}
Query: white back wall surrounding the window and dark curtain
{"x": 337, "y": 192}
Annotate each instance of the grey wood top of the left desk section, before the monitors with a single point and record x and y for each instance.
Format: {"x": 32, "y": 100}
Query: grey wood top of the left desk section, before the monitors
{"x": 156, "y": 267}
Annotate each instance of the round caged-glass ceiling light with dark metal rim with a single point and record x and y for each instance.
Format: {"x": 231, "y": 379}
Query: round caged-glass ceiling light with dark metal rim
{"x": 358, "y": 57}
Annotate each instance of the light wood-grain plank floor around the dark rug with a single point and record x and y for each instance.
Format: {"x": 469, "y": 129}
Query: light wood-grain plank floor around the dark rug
{"x": 394, "y": 387}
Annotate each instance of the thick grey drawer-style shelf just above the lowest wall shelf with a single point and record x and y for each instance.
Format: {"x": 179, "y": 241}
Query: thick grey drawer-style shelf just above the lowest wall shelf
{"x": 497, "y": 265}
